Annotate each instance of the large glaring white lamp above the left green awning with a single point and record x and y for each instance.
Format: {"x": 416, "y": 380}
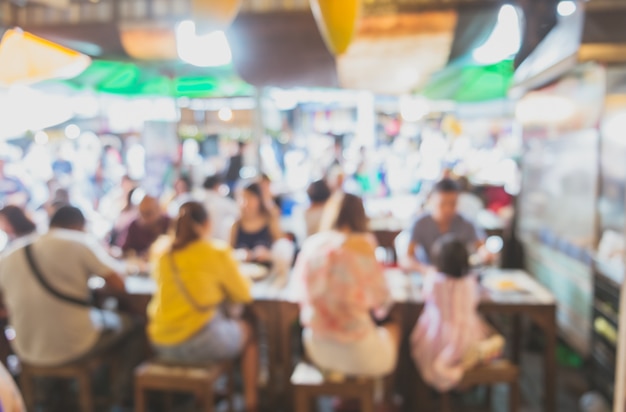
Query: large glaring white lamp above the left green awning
{"x": 208, "y": 50}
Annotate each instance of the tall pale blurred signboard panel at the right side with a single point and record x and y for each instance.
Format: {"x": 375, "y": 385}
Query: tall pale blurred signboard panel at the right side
{"x": 558, "y": 201}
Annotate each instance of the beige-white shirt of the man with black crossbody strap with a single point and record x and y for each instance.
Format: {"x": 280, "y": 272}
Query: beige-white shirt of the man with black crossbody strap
{"x": 48, "y": 330}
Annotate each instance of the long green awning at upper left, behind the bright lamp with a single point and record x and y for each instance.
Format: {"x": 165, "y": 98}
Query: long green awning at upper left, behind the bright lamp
{"x": 160, "y": 79}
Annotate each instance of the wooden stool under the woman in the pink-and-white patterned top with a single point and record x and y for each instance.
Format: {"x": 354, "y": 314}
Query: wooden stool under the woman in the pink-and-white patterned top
{"x": 309, "y": 383}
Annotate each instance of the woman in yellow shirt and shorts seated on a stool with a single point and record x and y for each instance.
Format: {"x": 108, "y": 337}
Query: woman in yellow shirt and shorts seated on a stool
{"x": 195, "y": 277}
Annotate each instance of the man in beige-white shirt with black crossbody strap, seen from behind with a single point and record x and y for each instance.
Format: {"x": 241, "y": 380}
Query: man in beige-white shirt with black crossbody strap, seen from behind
{"x": 44, "y": 284}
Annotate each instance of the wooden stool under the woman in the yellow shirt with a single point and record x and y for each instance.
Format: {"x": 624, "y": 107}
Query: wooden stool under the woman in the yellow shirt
{"x": 196, "y": 380}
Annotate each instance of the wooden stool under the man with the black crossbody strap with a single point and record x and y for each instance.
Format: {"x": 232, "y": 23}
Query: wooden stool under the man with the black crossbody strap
{"x": 81, "y": 372}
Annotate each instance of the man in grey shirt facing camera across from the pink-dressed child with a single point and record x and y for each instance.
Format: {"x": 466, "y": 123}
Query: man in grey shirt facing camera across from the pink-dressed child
{"x": 443, "y": 219}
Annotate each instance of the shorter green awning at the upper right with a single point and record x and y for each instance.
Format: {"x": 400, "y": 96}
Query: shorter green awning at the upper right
{"x": 467, "y": 82}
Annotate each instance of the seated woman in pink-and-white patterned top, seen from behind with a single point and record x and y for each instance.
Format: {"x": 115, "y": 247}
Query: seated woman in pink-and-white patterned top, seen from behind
{"x": 342, "y": 285}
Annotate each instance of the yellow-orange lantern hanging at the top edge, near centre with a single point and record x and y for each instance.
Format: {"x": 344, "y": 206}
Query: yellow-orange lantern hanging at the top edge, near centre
{"x": 337, "y": 21}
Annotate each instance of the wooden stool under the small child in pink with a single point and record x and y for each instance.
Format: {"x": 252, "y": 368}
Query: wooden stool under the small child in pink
{"x": 500, "y": 371}
